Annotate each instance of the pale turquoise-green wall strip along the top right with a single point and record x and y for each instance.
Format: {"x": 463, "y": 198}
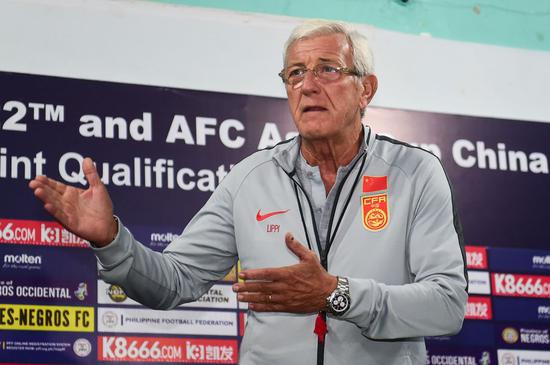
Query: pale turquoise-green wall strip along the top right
{"x": 511, "y": 23}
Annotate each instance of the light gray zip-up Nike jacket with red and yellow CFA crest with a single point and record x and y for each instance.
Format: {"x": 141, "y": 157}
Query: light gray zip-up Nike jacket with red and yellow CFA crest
{"x": 406, "y": 269}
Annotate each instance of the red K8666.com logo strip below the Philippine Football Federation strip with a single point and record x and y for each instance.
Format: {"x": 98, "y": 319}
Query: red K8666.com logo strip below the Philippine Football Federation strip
{"x": 173, "y": 350}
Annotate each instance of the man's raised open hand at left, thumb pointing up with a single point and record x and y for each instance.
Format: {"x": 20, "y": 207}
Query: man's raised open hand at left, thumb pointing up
{"x": 87, "y": 213}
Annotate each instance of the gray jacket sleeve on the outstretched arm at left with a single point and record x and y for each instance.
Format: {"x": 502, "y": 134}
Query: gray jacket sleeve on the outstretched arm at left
{"x": 202, "y": 254}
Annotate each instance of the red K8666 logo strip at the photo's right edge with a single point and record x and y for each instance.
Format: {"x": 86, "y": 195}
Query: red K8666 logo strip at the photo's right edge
{"x": 517, "y": 285}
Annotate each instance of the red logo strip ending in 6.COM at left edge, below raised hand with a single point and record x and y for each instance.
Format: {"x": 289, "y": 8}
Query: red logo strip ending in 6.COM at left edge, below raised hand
{"x": 38, "y": 233}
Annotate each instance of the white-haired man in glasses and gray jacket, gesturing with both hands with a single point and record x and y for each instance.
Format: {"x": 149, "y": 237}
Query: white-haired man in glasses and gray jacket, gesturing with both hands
{"x": 374, "y": 239}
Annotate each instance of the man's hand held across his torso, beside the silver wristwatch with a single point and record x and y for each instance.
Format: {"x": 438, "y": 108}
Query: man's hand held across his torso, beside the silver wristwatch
{"x": 300, "y": 288}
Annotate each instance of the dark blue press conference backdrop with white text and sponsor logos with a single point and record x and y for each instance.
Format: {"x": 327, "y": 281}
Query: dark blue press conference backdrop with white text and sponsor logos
{"x": 162, "y": 151}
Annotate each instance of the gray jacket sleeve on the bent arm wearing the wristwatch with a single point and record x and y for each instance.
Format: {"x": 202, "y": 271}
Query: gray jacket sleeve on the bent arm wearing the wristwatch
{"x": 434, "y": 302}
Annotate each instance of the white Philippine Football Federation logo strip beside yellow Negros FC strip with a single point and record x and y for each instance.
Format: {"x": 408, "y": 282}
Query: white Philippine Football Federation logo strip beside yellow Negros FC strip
{"x": 137, "y": 320}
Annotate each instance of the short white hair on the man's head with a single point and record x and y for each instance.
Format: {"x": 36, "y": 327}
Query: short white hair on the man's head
{"x": 358, "y": 43}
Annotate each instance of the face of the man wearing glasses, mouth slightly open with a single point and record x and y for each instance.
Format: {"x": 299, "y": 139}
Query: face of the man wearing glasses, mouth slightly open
{"x": 323, "y": 109}
